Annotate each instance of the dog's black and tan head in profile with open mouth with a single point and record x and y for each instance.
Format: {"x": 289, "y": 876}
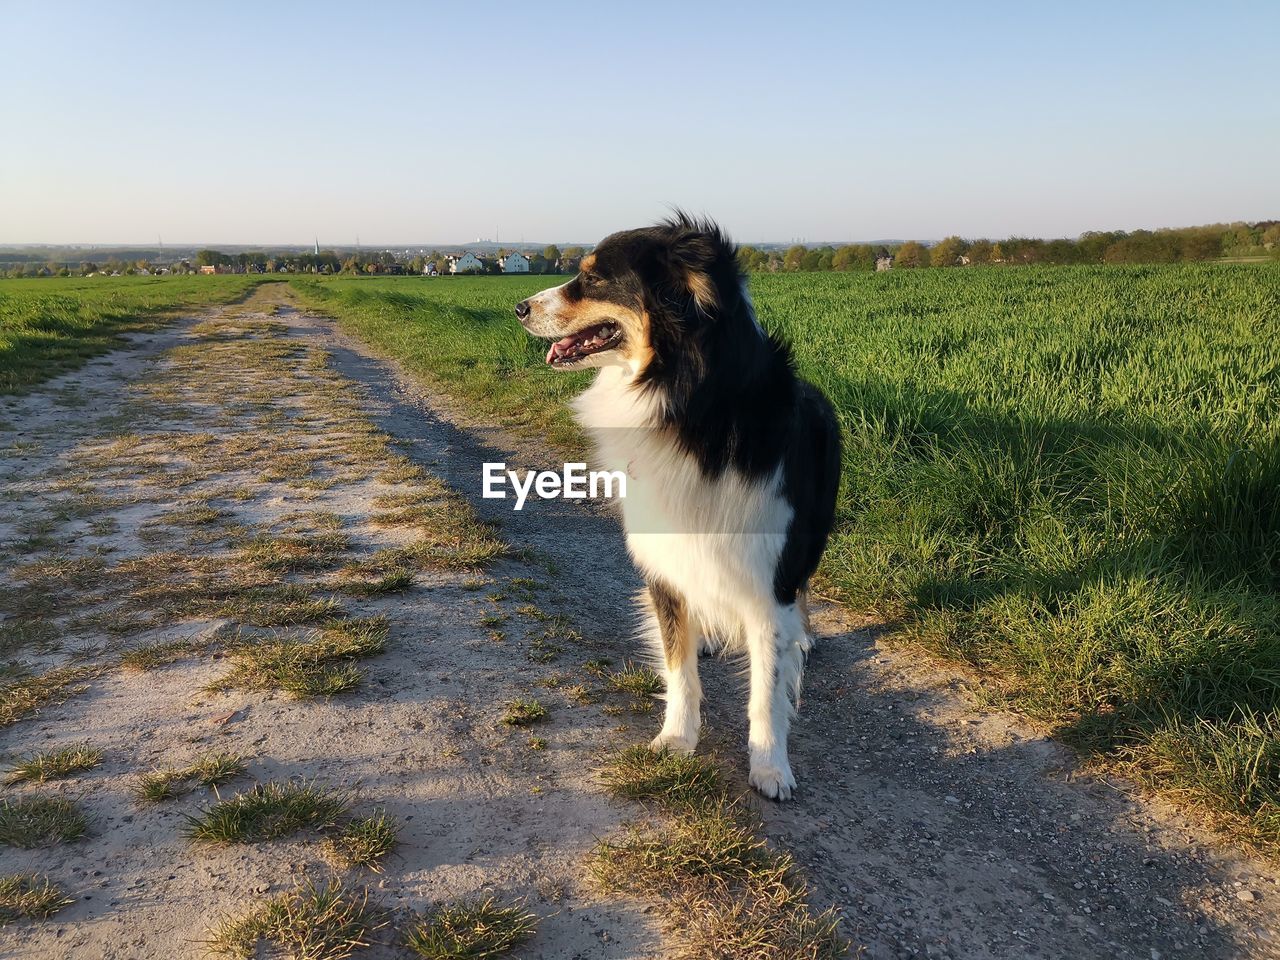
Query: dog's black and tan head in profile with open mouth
{"x": 638, "y": 296}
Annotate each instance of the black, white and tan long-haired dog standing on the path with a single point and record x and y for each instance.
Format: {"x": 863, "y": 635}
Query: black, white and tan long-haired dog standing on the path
{"x": 733, "y": 465}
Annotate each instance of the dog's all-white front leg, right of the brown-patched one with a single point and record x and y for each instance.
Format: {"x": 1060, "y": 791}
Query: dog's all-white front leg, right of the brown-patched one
{"x": 775, "y": 648}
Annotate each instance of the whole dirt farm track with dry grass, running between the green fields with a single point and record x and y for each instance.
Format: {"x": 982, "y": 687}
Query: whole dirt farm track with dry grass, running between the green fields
{"x": 227, "y": 476}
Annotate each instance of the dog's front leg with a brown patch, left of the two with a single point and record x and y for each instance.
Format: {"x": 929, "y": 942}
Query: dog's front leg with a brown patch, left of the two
{"x": 671, "y": 632}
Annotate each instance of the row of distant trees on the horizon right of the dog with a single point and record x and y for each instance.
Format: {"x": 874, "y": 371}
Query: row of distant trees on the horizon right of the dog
{"x": 1169, "y": 246}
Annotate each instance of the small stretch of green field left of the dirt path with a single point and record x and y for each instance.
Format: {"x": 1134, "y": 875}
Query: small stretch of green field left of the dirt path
{"x": 53, "y": 326}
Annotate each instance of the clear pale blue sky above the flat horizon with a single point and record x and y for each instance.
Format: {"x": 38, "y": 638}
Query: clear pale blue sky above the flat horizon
{"x": 272, "y": 124}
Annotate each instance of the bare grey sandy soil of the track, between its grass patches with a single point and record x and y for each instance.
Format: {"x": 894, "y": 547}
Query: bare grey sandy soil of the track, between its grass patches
{"x": 938, "y": 828}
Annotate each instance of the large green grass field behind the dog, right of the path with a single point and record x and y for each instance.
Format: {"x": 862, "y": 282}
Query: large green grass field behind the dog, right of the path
{"x": 1067, "y": 478}
